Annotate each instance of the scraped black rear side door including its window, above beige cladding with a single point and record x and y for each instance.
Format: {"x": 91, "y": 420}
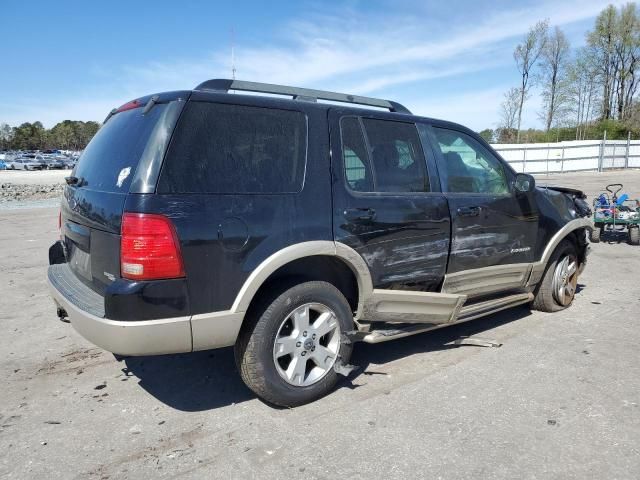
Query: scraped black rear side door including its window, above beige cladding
{"x": 385, "y": 206}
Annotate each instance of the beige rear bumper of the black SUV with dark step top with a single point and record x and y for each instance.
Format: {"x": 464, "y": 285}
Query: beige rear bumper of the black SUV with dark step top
{"x": 85, "y": 311}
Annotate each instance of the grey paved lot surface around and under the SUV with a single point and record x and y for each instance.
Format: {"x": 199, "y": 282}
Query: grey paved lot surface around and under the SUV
{"x": 560, "y": 399}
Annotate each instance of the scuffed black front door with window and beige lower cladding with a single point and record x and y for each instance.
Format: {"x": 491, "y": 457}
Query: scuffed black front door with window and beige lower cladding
{"x": 494, "y": 228}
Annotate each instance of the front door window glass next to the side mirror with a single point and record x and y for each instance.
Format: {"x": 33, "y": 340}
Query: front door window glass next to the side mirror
{"x": 468, "y": 166}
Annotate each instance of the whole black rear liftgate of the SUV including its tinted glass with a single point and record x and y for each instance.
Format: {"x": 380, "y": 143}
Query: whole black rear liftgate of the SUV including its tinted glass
{"x": 125, "y": 154}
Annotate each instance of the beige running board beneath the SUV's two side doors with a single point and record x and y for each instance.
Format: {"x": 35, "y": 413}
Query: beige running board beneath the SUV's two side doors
{"x": 391, "y": 331}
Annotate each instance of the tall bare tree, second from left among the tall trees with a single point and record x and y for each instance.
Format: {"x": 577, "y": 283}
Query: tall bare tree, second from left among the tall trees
{"x": 553, "y": 65}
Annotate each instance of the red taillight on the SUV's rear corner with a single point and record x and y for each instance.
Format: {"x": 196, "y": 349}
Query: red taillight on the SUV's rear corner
{"x": 149, "y": 248}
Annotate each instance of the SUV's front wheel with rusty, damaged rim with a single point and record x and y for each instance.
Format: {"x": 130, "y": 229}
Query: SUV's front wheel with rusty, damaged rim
{"x": 557, "y": 288}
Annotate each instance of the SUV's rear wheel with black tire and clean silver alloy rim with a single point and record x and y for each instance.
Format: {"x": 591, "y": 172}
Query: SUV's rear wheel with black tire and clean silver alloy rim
{"x": 288, "y": 348}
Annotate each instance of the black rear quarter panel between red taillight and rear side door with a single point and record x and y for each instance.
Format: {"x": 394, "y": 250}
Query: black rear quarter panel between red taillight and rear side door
{"x": 224, "y": 237}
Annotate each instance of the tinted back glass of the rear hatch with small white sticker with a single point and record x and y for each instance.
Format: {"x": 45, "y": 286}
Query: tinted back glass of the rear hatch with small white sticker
{"x": 110, "y": 160}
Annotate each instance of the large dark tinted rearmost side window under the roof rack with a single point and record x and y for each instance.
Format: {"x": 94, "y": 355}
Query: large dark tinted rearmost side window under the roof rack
{"x": 234, "y": 149}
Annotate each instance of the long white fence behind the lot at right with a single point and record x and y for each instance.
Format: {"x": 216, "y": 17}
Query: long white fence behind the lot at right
{"x": 571, "y": 156}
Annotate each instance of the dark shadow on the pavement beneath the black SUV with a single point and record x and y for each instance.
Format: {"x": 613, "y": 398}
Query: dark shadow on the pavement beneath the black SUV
{"x": 208, "y": 380}
